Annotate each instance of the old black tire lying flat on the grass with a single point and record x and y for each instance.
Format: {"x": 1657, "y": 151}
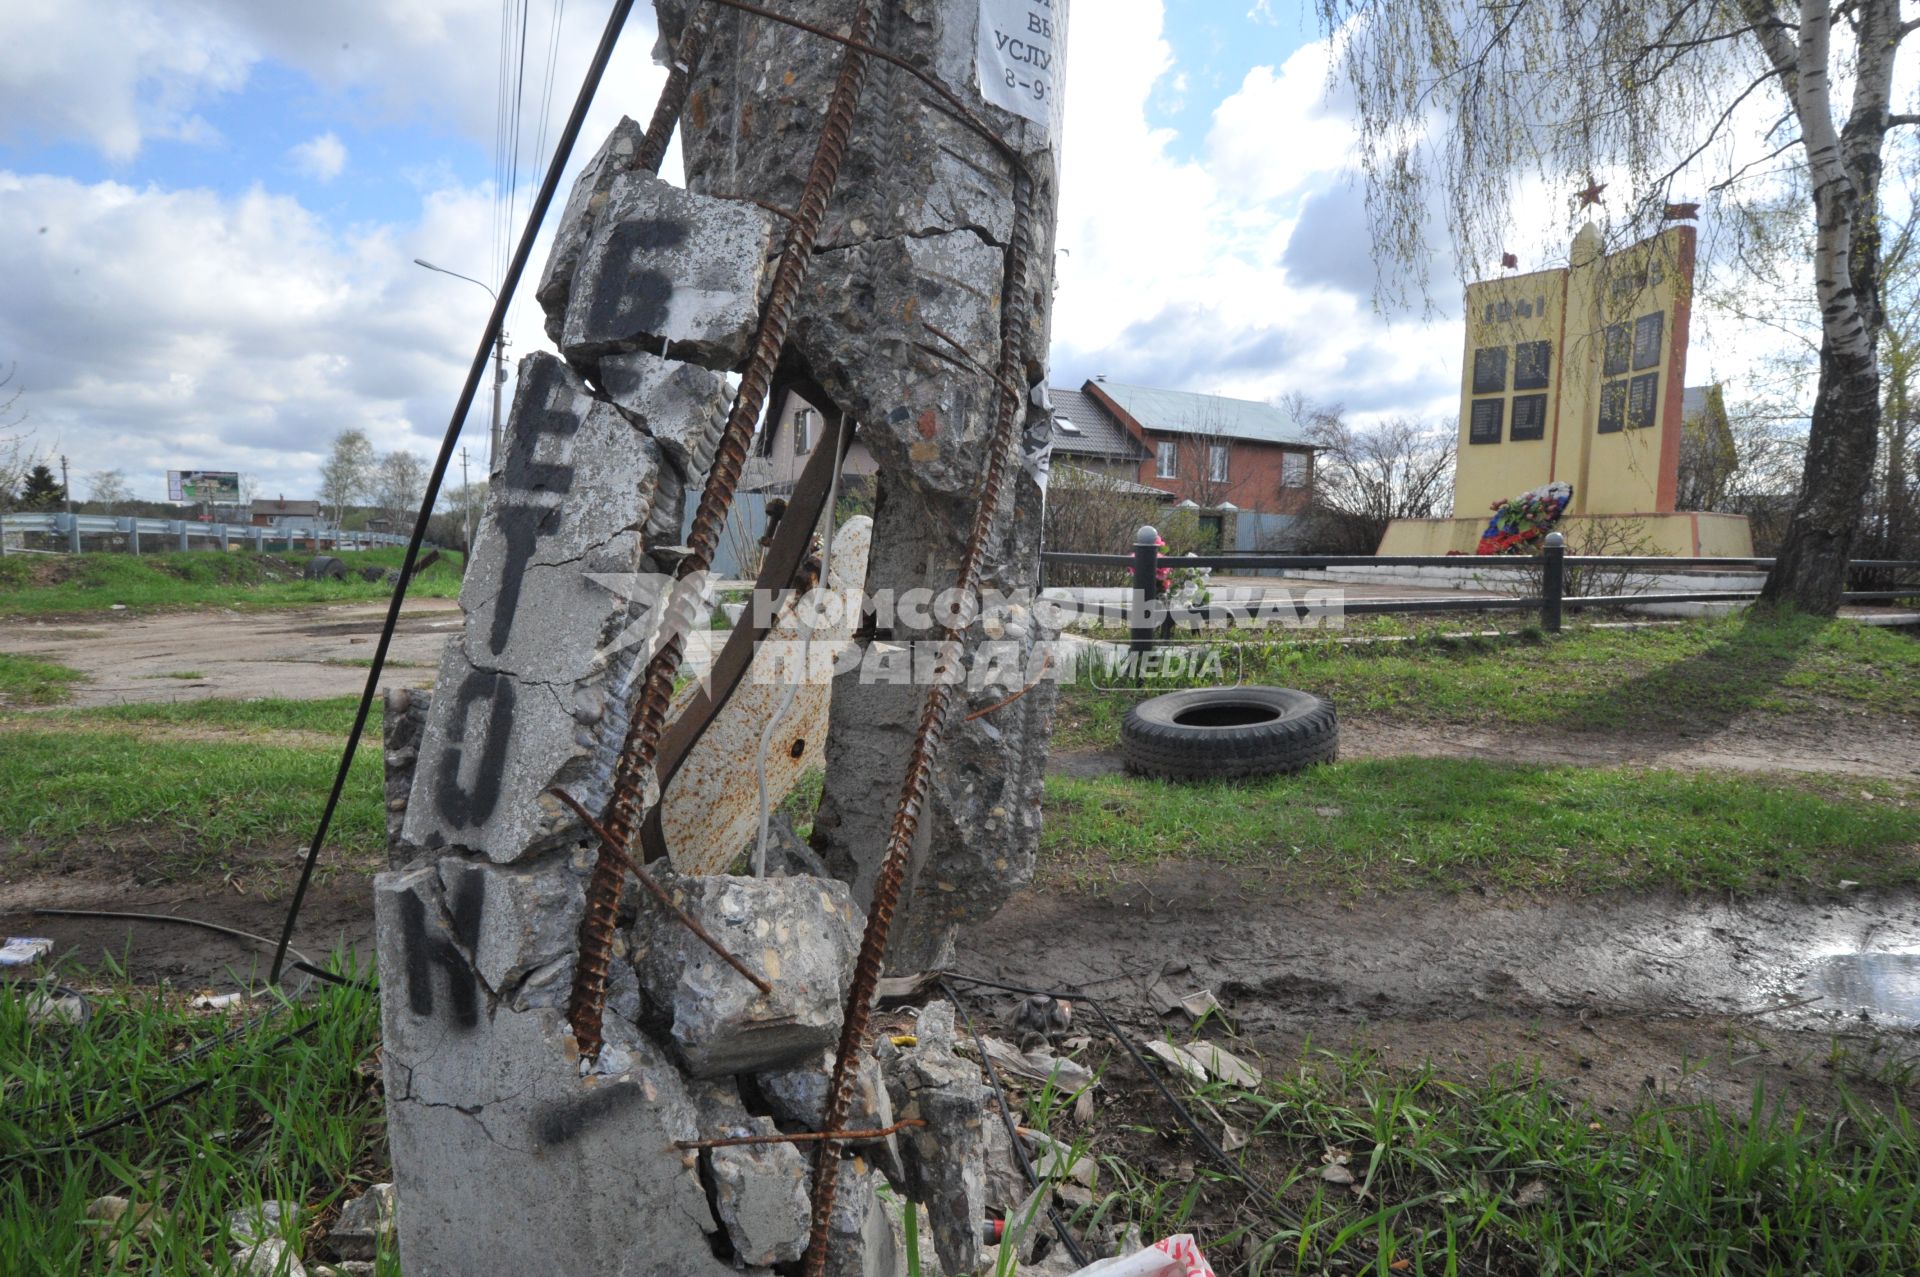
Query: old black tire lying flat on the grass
{"x": 1228, "y": 733}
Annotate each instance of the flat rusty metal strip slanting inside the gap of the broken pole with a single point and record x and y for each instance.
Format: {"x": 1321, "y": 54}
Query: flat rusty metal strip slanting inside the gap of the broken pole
{"x": 792, "y": 541}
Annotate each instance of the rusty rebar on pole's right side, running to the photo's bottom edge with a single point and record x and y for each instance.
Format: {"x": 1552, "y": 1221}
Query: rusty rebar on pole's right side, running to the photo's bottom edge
{"x": 1017, "y": 306}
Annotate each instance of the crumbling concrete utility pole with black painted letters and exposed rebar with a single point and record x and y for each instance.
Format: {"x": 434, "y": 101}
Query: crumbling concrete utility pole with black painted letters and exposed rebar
{"x": 512, "y": 1153}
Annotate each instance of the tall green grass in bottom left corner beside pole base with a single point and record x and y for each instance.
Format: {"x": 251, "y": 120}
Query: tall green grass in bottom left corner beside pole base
{"x": 293, "y": 1115}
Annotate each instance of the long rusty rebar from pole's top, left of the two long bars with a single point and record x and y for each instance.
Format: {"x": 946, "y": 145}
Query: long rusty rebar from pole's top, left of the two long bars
{"x": 635, "y": 769}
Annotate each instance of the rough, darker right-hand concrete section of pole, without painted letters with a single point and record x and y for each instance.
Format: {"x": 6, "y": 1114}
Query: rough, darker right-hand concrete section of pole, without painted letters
{"x": 917, "y": 243}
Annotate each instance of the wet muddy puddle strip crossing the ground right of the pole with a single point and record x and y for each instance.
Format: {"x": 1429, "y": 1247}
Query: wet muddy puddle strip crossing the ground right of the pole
{"x": 1798, "y": 963}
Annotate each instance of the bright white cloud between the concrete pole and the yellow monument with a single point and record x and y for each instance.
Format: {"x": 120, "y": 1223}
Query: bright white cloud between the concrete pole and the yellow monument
{"x": 1191, "y": 274}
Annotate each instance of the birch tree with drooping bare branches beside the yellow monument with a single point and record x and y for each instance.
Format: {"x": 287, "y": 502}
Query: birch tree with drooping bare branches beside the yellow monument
{"x": 1641, "y": 95}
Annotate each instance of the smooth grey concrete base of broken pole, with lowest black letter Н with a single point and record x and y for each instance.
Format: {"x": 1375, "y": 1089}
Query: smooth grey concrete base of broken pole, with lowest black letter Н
{"x": 496, "y": 1136}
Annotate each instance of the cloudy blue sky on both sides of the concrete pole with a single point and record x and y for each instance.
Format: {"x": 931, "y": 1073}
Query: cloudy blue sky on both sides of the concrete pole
{"x": 210, "y": 210}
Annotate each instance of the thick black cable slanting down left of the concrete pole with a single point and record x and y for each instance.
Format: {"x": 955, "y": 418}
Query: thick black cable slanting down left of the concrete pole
{"x": 562, "y": 153}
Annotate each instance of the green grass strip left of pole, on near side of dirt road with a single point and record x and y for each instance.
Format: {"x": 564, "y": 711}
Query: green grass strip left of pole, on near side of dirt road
{"x": 126, "y": 777}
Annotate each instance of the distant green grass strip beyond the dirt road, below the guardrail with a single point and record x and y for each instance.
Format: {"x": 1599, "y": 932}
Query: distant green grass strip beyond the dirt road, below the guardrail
{"x": 45, "y": 587}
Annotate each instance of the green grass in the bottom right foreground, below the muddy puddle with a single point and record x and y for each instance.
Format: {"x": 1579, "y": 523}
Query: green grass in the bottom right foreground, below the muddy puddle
{"x": 1504, "y": 1176}
